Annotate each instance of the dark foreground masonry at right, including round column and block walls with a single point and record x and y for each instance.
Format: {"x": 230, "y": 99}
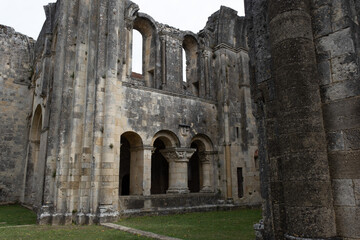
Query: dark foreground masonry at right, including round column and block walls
{"x": 305, "y": 53}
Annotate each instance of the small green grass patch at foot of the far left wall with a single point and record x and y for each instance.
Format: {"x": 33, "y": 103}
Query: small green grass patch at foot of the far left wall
{"x": 11, "y": 215}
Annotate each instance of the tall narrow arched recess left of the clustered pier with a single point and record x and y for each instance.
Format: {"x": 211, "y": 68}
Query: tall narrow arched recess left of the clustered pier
{"x": 33, "y": 164}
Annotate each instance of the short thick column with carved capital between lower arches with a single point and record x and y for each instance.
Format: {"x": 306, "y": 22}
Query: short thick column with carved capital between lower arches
{"x": 178, "y": 159}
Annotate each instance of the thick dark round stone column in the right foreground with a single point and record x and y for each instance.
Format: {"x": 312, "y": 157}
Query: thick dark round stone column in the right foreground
{"x": 301, "y": 160}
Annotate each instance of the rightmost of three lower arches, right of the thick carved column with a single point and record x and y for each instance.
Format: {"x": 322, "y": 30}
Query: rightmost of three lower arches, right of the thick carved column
{"x": 199, "y": 168}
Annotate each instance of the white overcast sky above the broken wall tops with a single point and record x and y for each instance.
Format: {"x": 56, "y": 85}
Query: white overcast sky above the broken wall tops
{"x": 27, "y": 16}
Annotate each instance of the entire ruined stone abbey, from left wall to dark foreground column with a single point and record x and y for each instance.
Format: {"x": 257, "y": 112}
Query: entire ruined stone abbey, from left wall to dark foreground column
{"x": 272, "y": 97}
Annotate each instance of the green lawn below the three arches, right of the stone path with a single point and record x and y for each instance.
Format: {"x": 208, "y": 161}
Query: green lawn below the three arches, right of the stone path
{"x": 229, "y": 225}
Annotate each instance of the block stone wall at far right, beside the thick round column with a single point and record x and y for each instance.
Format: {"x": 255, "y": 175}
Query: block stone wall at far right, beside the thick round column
{"x": 336, "y": 36}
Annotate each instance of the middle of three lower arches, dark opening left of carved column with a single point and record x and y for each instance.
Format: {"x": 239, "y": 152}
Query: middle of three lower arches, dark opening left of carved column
{"x": 159, "y": 165}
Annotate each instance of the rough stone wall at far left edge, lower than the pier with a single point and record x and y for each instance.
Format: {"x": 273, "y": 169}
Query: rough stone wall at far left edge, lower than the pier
{"x": 16, "y": 55}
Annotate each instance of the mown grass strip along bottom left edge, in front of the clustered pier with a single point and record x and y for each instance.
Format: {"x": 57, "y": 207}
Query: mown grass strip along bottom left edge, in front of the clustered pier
{"x": 64, "y": 233}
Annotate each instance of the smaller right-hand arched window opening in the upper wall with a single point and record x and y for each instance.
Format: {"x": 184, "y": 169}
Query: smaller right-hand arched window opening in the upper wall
{"x": 191, "y": 47}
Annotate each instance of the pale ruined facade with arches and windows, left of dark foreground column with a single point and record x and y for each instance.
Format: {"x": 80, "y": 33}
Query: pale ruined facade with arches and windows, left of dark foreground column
{"x": 104, "y": 141}
